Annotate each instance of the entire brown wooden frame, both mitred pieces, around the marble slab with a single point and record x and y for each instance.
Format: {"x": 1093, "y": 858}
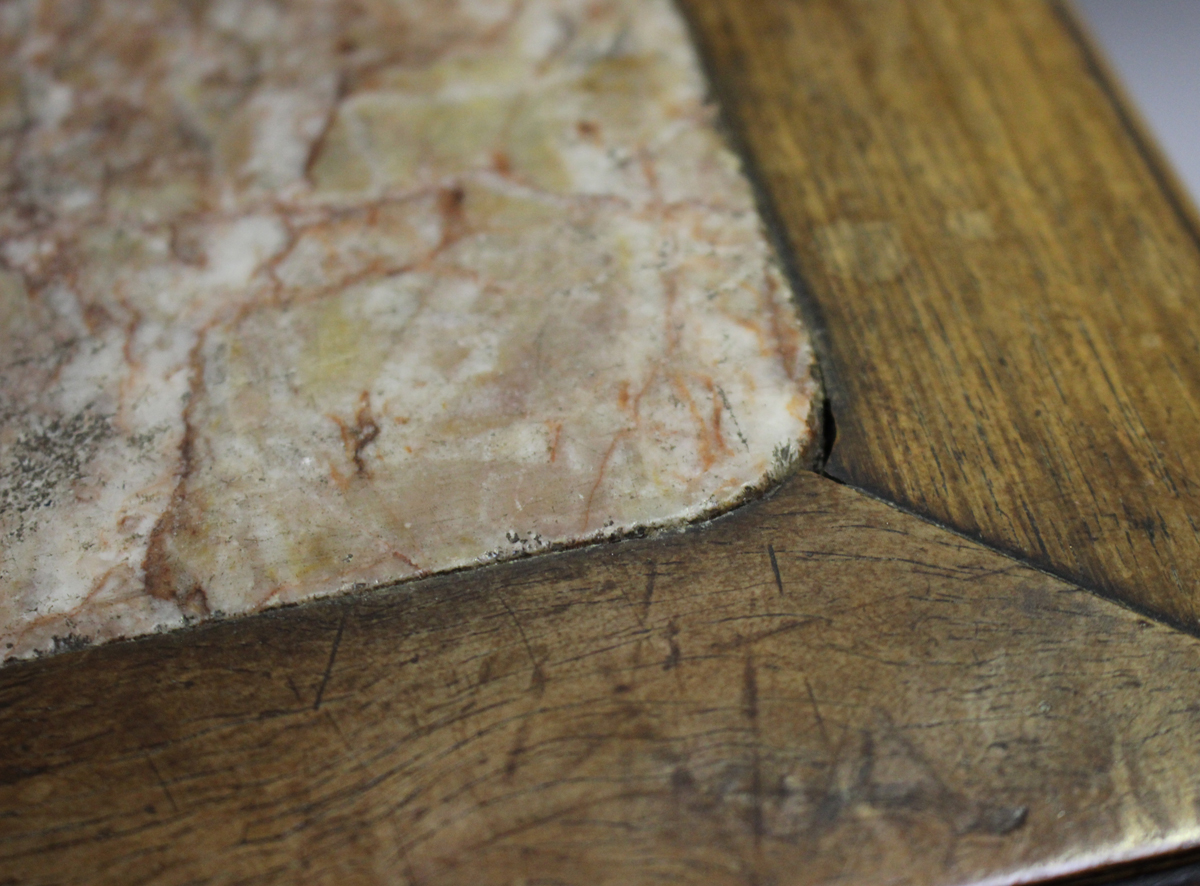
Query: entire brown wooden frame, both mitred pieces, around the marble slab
{"x": 820, "y": 686}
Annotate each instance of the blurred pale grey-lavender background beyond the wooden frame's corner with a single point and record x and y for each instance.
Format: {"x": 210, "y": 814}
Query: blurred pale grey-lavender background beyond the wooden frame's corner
{"x": 1155, "y": 47}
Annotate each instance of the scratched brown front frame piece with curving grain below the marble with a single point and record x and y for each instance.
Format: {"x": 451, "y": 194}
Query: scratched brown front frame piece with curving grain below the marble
{"x": 815, "y": 690}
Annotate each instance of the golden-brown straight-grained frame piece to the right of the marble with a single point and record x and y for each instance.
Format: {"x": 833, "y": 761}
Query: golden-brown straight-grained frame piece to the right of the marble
{"x": 1010, "y": 291}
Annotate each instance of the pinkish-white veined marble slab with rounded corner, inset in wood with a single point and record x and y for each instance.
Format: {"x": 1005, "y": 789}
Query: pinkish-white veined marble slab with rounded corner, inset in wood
{"x": 314, "y": 296}
